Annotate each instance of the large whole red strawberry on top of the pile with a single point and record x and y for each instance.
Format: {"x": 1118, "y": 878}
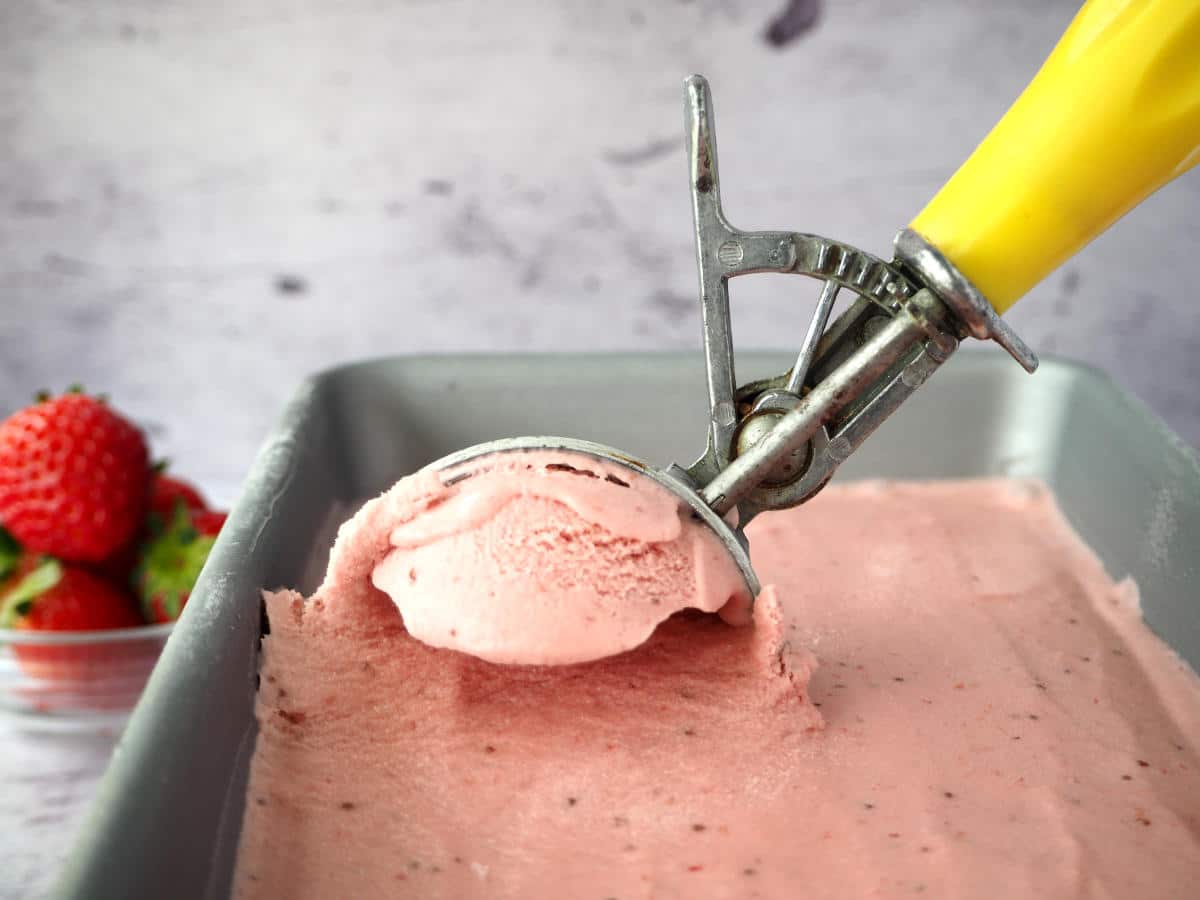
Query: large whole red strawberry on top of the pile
{"x": 74, "y": 478}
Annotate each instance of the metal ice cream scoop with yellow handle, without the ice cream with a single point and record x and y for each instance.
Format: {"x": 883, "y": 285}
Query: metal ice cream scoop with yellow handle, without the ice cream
{"x": 1113, "y": 116}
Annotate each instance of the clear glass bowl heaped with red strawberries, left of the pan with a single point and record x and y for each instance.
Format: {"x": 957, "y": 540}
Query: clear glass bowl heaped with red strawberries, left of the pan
{"x": 99, "y": 553}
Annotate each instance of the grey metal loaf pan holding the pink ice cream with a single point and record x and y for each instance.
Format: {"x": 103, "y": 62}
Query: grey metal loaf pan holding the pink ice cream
{"x": 169, "y": 813}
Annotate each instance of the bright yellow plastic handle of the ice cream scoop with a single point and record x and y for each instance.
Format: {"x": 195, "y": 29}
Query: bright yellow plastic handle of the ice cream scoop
{"x": 1113, "y": 116}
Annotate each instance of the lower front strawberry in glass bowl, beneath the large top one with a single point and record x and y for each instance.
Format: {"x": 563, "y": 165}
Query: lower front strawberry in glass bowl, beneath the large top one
{"x": 43, "y": 595}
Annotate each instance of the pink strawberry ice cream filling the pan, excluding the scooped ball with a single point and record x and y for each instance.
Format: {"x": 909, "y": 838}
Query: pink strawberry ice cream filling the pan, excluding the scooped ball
{"x": 989, "y": 718}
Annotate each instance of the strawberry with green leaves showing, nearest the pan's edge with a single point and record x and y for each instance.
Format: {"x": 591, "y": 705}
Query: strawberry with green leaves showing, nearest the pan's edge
{"x": 173, "y": 561}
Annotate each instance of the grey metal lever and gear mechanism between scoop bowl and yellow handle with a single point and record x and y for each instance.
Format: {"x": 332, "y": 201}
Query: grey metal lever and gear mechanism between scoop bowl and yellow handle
{"x": 777, "y": 442}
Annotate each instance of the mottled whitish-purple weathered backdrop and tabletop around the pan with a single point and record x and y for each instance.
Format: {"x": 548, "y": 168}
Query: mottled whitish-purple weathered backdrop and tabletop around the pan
{"x": 469, "y": 176}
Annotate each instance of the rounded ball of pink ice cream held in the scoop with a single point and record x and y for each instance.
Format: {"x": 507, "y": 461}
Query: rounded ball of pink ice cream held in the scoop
{"x": 545, "y": 559}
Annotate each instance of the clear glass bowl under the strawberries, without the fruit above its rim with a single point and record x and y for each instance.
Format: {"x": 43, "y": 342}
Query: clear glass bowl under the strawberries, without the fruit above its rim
{"x": 76, "y": 681}
